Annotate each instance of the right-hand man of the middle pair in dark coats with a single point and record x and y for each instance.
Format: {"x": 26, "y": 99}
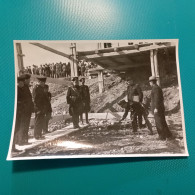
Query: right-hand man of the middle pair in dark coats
{"x": 85, "y": 100}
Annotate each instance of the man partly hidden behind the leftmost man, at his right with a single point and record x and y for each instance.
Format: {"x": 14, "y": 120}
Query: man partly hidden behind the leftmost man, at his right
{"x": 29, "y": 108}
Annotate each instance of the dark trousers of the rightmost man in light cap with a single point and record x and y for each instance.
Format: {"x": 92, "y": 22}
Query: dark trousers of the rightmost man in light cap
{"x": 161, "y": 125}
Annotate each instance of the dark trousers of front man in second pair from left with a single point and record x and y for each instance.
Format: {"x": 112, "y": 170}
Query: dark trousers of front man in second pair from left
{"x": 39, "y": 124}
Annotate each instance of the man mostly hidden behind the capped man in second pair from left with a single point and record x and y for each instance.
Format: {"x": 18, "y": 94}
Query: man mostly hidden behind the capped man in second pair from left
{"x": 48, "y": 110}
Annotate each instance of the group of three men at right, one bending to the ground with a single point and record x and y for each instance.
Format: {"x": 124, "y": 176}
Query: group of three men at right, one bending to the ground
{"x": 139, "y": 110}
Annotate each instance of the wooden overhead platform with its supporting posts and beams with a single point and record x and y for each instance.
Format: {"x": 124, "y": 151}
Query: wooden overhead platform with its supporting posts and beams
{"x": 154, "y": 56}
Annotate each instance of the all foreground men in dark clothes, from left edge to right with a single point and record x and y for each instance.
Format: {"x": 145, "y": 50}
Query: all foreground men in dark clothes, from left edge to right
{"x": 78, "y": 98}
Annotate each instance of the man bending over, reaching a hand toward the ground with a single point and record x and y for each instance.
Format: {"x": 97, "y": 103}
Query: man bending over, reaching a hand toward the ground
{"x": 133, "y": 107}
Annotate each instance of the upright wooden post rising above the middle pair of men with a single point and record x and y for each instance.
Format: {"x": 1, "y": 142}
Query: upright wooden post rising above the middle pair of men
{"x": 73, "y": 63}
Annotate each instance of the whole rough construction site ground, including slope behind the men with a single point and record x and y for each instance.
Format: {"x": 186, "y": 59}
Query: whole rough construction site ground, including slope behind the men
{"x": 105, "y": 135}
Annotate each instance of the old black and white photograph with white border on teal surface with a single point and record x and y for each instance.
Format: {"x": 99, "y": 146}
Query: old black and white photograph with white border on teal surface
{"x": 89, "y": 99}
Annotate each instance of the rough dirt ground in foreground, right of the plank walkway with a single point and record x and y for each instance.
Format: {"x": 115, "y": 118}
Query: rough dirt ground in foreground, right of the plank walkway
{"x": 107, "y": 137}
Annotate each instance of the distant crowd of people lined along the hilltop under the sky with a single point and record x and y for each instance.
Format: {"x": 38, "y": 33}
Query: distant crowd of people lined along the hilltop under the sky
{"x": 58, "y": 70}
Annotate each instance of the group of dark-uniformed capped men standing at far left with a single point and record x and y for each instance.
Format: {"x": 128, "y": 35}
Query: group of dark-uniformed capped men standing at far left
{"x": 38, "y": 102}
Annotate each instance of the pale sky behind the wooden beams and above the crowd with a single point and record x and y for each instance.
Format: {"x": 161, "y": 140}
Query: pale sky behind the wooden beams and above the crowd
{"x": 36, "y": 55}
